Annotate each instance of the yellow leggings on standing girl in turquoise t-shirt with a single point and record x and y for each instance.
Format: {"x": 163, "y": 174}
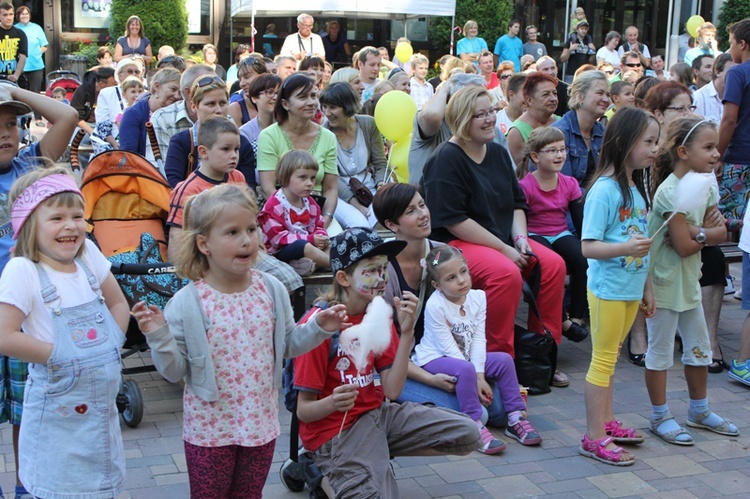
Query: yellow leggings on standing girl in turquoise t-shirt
{"x": 610, "y": 322}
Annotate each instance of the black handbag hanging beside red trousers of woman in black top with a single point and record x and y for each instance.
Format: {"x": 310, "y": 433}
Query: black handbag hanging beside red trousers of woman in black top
{"x": 536, "y": 352}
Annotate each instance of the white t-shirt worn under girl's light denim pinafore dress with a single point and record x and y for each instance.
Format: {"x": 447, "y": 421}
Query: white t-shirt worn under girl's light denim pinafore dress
{"x": 20, "y": 287}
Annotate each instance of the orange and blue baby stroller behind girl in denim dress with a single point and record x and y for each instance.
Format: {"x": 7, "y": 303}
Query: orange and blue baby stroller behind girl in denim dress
{"x": 127, "y": 201}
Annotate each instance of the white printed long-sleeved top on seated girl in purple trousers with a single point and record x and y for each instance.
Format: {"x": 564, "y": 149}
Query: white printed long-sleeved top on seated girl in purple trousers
{"x": 448, "y": 334}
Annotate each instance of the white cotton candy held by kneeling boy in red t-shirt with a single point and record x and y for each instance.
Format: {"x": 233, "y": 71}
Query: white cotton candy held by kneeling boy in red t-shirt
{"x": 371, "y": 336}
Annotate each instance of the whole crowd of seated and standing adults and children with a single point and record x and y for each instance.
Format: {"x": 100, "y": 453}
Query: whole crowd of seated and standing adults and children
{"x": 278, "y": 168}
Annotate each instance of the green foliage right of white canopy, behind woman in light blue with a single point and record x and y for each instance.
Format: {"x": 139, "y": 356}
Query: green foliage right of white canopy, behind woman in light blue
{"x": 491, "y": 15}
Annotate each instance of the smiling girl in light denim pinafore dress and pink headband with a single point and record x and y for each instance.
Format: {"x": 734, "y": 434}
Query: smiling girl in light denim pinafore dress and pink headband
{"x": 58, "y": 289}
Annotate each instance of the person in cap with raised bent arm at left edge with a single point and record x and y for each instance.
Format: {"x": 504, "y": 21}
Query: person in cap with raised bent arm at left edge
{"x": 62, "y": 118}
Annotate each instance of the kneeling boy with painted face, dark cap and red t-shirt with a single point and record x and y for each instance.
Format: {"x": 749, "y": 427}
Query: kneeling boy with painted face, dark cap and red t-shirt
{"x": 336, "y": 400}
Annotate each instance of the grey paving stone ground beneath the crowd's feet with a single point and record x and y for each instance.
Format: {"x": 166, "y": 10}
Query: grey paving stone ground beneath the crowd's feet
{"x": 715, "y": 466}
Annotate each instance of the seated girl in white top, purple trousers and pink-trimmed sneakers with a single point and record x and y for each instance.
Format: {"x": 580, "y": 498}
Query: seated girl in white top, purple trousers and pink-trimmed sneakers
{"x": 454, "y": 343}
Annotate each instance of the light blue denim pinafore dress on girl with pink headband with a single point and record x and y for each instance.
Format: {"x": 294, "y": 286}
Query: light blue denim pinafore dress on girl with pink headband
{"x": 70, "y": 438}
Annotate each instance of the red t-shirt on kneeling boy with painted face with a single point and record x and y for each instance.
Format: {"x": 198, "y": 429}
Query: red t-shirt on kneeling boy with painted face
{"x": 313, "y": 372}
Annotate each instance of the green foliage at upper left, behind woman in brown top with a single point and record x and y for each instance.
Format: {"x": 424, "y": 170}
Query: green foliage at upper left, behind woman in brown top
{"x": 164, "y": 21}
